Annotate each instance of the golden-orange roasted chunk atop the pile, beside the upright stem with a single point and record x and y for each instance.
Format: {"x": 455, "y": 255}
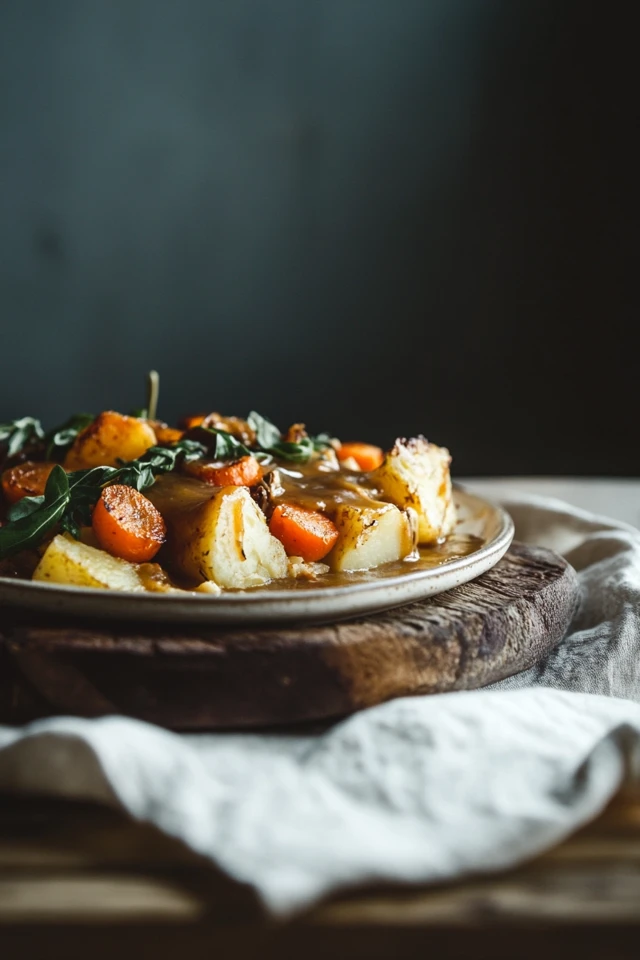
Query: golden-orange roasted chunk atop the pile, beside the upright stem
{"x": 111, "y": 437}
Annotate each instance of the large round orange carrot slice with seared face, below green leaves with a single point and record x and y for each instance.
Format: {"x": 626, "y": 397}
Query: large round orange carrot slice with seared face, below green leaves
{"x": 127, "y": 525}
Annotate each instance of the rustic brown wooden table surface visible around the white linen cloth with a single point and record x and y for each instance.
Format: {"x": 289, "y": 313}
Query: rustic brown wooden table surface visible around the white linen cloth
{"x": 79, "y": 881}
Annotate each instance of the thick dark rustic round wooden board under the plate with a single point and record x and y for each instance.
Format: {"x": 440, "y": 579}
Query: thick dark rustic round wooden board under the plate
{"x": 194, "y": 679}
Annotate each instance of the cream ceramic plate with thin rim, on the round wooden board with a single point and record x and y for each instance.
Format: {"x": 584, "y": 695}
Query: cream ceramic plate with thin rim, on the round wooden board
{"x": 482, "y": 537}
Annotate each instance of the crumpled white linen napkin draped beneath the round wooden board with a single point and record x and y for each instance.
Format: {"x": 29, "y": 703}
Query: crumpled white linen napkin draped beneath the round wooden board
{"x": 418, "y": 789}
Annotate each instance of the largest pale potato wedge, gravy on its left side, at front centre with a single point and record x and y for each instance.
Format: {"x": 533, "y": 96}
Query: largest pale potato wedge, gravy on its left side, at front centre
{"x": 217, "y": 533}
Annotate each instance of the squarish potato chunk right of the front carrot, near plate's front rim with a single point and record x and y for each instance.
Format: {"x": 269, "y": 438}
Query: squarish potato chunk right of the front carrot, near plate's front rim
{"x": 371, "y": 535}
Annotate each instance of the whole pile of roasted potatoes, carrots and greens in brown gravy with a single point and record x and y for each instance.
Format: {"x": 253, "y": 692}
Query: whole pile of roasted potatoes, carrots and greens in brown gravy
{"x": 217, "y": 503}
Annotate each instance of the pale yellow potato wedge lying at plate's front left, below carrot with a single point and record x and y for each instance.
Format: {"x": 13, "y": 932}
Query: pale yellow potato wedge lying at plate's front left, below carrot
{"x": 70, "y": 561}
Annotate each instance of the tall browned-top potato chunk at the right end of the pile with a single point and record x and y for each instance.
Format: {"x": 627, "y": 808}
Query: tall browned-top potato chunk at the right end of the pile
{"x": 415, "y": 473}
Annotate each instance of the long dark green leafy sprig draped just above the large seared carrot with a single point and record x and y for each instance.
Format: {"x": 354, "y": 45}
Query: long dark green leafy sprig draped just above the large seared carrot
{"x": 69, "y": 498}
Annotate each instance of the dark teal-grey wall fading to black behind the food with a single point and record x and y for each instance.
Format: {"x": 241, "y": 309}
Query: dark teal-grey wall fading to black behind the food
{"x": 380, "y": 216}
